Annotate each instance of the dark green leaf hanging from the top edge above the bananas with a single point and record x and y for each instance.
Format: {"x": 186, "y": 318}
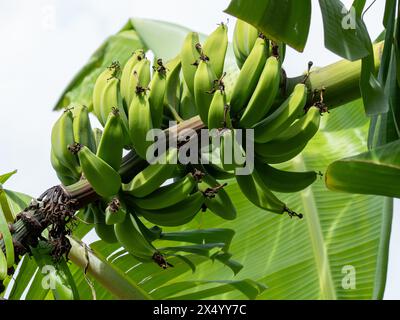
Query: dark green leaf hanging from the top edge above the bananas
{"x": 287, "y": 21}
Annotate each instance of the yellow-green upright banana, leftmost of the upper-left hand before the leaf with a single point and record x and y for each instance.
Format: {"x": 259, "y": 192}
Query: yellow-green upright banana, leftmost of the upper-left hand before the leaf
{"x": 105, "y": 92}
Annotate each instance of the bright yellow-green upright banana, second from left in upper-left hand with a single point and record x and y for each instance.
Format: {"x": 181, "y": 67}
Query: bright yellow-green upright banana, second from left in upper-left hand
{"x": 128, "y": 78}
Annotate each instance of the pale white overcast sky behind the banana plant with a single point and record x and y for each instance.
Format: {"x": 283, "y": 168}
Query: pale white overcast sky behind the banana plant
{"x": 45, "y": 42}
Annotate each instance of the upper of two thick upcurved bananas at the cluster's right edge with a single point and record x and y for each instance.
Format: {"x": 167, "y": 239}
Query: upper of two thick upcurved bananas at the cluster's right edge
{"x": 282, "y": 117}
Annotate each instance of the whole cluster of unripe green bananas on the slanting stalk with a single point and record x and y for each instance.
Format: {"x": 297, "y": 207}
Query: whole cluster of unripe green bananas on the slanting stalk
{"x": 131, "y": 100}
